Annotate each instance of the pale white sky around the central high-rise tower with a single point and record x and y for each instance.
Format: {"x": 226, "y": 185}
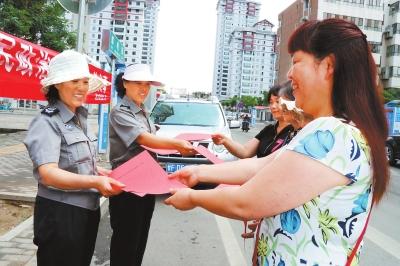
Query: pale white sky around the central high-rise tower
{"x": 185, "y": 44}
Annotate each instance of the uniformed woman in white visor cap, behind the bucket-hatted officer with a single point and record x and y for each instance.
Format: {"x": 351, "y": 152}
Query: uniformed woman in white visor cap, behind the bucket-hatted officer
{"x": 130, "y": 128}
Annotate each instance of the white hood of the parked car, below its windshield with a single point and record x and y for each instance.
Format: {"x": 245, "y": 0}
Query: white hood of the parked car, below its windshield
{"x": 171, "y": 131}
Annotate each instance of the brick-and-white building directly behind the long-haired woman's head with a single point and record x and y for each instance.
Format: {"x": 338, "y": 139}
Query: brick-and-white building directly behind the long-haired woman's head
{"x": 366, "y": 14}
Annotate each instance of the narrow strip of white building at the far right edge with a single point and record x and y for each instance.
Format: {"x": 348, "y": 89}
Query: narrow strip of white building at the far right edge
{"x": 390, "y": 67}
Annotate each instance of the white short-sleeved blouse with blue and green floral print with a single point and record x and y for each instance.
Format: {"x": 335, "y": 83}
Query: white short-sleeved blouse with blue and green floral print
{"x": 324, "y": 230}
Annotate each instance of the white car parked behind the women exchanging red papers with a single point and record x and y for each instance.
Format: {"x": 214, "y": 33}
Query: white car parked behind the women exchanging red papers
{"x": 177, "y": 116}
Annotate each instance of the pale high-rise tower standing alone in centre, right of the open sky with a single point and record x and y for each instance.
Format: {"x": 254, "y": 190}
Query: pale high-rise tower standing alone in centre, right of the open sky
{"x": 244, "y": 50}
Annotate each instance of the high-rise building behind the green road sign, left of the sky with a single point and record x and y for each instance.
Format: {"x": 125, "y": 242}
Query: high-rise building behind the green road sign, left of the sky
{"x": 134, "y": 22}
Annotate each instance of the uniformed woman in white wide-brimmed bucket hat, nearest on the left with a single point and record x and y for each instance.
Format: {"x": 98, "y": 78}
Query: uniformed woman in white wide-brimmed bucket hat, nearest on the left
{"x": 62, "y": 150}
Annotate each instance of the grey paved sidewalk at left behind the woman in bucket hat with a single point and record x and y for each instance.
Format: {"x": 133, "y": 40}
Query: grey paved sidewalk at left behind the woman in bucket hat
{"x": 17, "y": 183}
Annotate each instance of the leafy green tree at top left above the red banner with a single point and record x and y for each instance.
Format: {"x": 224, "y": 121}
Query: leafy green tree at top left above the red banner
{"x": 38, "y": 21}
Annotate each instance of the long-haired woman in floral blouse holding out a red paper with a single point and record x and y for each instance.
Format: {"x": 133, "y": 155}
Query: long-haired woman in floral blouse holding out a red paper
{"x": 315, "y": 193}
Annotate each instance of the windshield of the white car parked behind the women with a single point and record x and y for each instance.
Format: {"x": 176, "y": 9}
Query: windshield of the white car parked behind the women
{"x": 187, "y": 113}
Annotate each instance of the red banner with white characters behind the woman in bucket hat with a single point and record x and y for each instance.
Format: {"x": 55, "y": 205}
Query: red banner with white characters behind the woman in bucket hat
{"x": 24, "y": 64}
